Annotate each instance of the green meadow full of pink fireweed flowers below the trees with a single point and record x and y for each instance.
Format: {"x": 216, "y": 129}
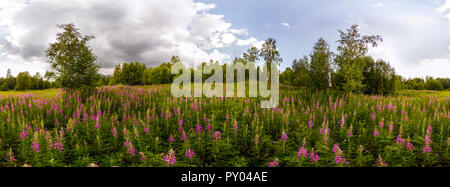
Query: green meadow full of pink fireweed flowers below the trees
{"x": 146, "y": 127}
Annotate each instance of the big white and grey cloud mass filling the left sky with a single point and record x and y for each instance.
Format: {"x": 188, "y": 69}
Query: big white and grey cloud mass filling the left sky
{"x": 149, "y": 31}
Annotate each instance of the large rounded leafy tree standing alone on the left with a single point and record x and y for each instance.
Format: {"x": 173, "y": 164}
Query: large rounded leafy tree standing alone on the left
{"x": 72, "y": 61}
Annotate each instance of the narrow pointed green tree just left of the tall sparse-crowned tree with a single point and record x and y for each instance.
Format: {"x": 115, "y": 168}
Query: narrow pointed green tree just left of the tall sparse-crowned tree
{"x": 320, "y": 67}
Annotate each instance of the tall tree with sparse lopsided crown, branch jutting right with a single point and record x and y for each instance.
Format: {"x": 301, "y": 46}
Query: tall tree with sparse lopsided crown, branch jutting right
{"x": 350, "y": 60}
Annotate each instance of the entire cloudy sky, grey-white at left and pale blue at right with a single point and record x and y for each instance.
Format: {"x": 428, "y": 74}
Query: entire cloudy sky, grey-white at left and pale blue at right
{"x": 416, "y": 33}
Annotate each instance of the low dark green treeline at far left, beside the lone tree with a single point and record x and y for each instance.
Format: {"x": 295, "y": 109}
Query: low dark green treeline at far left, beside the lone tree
{"x": 24, "y": 81}
